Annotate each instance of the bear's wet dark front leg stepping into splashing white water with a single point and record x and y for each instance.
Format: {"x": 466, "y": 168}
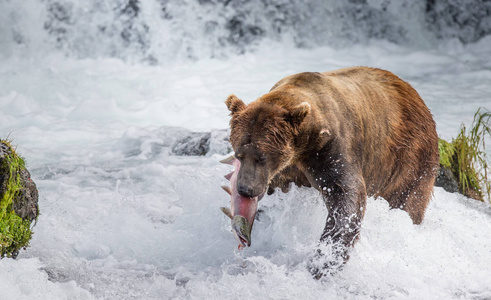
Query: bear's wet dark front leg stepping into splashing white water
{"x": 345, "y": 199}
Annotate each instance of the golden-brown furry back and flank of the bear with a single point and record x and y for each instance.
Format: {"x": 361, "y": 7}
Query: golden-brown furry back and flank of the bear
{"x": 381, "y": 120}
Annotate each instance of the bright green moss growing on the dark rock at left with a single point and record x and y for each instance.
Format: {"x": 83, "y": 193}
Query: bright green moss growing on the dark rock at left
{"x": 15, "y": 232}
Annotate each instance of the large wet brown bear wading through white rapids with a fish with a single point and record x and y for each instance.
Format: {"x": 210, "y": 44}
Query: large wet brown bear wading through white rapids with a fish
{"x": 349, "y": 133}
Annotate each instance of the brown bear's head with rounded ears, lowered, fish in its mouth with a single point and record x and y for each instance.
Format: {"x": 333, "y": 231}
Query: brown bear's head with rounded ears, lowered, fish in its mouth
{"x": 262, "y": 136}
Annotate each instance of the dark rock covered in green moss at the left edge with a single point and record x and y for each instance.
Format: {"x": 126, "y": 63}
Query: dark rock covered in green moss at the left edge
{"x": 18, "y": 202}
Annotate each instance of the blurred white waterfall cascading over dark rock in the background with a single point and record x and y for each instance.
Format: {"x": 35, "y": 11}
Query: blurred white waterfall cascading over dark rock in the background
{"x": 156, "y": 31}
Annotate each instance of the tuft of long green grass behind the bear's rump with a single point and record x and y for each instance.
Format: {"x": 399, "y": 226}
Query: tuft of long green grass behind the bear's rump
{"x": 466, "y": 156}
